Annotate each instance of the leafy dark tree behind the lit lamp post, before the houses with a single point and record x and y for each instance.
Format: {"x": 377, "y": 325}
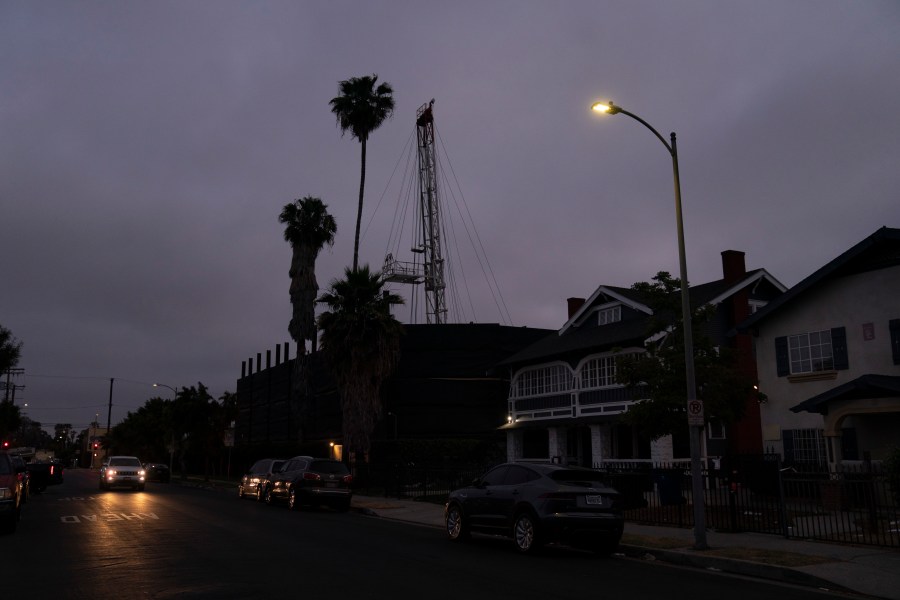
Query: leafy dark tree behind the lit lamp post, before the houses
{"x": 661, "y": 373}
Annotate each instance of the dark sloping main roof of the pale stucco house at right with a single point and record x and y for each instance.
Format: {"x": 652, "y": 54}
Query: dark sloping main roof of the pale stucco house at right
{"x": 878, "y": 251}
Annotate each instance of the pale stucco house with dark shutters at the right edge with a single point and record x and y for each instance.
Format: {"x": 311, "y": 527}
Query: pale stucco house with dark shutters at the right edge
{"x": 828, "y": 356}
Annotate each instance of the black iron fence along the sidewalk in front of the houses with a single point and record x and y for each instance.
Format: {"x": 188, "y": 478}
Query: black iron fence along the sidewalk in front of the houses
{"x": 745, "y": 494}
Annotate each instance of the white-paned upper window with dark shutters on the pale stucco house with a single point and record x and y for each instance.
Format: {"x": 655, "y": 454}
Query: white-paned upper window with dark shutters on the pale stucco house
{"x": 812, "y": 352}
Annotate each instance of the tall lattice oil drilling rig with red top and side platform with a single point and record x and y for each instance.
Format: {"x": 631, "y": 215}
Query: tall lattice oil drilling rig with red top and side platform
{"x": 430, "y": 270}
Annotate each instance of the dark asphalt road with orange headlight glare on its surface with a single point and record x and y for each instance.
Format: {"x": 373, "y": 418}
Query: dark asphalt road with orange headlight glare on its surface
{"x": 75, "y": 541}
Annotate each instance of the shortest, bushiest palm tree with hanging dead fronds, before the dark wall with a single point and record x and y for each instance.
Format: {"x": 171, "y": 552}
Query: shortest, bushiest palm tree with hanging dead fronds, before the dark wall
{"x": 361, "y": 343}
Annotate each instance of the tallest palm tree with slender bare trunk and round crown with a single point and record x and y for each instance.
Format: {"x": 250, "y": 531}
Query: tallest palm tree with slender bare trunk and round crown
{"x": 361, "y": 108}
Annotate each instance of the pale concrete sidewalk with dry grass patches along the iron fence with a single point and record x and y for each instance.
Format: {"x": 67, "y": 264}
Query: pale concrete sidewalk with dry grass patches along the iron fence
{"x": 864, "y": 570}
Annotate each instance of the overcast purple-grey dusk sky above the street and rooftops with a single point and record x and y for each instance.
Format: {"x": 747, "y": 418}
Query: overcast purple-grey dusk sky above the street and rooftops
{"x": 147, "y": 148}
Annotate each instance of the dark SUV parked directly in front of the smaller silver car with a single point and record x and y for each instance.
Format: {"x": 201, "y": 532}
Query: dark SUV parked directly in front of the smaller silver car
{"x": 304, "y": 480}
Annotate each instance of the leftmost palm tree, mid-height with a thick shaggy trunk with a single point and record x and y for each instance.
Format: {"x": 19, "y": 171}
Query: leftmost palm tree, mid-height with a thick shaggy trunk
{"x": 308, "y": 228}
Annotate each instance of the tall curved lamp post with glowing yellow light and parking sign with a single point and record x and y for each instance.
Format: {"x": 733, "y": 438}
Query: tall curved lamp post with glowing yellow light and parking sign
{"x": 694, "y": 405}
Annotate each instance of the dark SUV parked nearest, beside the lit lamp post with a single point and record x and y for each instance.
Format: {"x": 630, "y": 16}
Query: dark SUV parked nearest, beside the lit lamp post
{"x": 535, "y": 504}
